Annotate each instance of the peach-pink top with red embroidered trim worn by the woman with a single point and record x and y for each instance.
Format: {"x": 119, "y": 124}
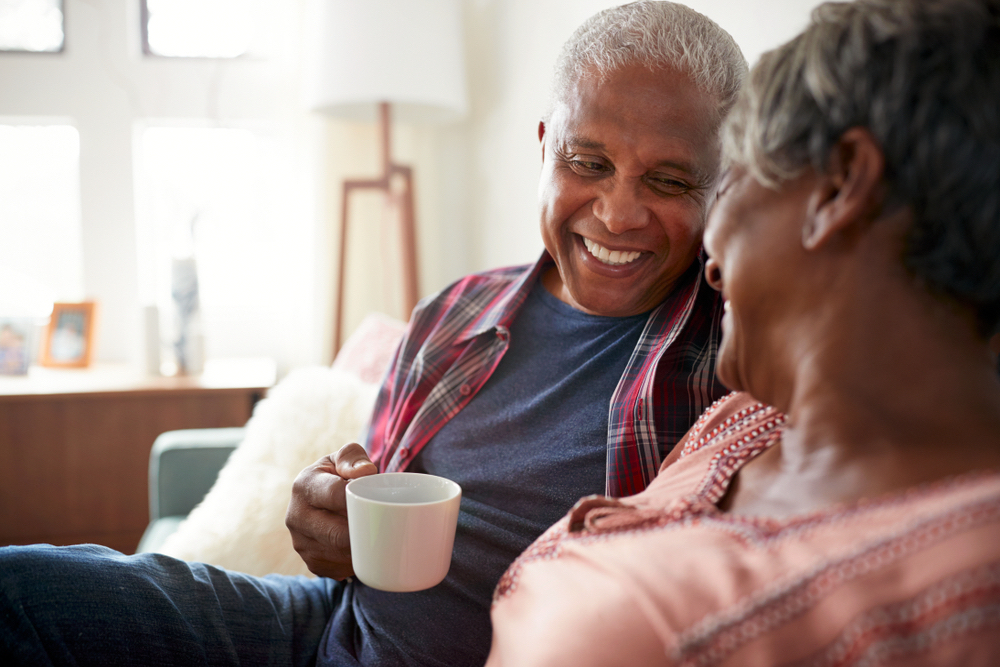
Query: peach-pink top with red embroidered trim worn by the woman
{"x": 665, "y": 578}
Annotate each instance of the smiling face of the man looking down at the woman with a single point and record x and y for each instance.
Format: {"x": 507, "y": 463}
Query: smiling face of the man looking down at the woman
{"x": 628, "y": 165}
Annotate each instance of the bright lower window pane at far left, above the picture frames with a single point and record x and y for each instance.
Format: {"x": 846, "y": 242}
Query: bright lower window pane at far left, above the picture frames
{"x": 41, "y": 248}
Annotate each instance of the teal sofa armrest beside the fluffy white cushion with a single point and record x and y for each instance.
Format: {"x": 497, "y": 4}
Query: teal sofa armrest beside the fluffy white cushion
{"x": 183, "y": 466}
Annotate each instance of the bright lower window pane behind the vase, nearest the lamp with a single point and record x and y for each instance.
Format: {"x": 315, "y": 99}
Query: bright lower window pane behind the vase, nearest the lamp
{"x": 224, "y": 199}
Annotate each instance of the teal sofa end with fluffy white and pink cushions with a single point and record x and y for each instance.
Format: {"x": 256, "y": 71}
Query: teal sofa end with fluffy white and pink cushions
{"x": 219, "y": 495}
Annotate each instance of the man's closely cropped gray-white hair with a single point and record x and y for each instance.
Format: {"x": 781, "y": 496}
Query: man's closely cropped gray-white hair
{"x": 657, "y": 35}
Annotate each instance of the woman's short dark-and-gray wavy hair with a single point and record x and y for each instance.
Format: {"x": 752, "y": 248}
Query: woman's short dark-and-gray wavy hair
{"x": 923, "y": 76}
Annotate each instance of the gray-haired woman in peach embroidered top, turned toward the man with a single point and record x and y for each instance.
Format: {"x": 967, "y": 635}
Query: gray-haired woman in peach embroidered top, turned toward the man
{"x": 856, "y": 239}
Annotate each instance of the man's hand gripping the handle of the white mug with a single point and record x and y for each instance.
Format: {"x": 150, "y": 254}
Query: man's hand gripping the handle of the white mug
{"x": 317, "y": 512}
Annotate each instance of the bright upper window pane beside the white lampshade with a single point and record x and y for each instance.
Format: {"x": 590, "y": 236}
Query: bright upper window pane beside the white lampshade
{"x": 199, "y": 28}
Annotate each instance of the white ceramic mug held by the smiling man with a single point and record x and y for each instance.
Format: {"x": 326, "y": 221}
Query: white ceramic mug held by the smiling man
{"x": 402, "y": 528}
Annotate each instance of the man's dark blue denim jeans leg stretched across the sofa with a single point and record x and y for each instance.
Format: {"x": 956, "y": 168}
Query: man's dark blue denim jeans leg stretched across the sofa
{"x": 89, "y": 605}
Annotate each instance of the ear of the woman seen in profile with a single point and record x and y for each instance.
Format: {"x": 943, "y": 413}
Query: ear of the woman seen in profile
{"x": 849, "y": 192}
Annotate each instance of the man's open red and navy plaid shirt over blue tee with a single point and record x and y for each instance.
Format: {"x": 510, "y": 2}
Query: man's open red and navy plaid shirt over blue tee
{"x": 456, "y": 338}
